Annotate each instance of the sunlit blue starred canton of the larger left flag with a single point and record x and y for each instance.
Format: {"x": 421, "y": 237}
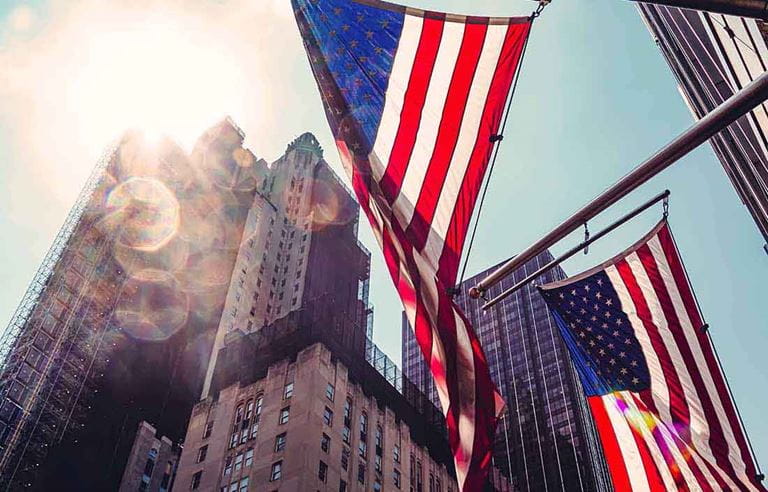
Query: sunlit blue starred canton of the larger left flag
{"x": 357, "y": 44}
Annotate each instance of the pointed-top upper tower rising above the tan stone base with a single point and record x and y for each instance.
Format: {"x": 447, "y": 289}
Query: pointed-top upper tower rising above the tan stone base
{"x": 299, "y": 249}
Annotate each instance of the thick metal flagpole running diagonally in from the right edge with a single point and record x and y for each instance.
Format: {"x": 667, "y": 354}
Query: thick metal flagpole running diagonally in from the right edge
{"x": 729, "y": 111}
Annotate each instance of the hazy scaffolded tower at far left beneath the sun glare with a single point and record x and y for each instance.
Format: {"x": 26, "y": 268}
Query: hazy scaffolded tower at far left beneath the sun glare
{"x": 119, "y": 319}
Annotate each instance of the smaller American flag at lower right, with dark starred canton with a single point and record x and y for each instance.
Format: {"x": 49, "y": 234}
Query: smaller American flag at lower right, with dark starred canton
{"x": 656, "y": 391}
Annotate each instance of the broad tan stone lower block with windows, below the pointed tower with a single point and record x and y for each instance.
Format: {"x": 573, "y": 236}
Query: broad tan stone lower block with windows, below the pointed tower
{"x": 306, "y": 425}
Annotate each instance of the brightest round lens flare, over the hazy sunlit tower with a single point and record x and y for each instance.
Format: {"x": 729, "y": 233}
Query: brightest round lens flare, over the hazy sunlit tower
{"x": 143, "y": 212}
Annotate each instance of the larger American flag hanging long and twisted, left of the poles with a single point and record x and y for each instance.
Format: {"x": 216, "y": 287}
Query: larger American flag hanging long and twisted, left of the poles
{"x": 413, "y": 99}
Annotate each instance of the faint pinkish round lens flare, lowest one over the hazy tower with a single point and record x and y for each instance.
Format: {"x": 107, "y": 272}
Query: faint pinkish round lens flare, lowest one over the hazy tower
{"x": 151, "y": 307}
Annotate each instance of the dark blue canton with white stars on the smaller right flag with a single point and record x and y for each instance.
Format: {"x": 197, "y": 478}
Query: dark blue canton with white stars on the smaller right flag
{"x": 598, "y": 335}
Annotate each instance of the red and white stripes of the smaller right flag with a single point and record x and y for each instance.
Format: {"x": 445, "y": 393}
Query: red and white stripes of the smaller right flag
{"x": 683, "y": 433}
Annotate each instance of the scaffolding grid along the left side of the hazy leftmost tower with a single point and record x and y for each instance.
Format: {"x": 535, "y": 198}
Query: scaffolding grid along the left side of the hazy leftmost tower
{"x": 49, "y": 349}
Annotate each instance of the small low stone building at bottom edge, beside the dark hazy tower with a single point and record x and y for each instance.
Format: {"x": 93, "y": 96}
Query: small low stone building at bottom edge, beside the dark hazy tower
{"x": 152, "y": 463}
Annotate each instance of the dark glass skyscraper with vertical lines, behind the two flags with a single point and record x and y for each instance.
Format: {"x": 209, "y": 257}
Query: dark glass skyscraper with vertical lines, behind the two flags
{"x": 545, "y": 439}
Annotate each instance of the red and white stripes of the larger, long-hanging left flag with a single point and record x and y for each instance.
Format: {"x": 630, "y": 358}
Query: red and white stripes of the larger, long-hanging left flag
{"x": 445, "y": 97}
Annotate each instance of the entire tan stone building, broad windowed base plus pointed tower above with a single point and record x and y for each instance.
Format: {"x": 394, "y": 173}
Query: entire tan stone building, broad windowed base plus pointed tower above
{"x": 298, "y": 397}
